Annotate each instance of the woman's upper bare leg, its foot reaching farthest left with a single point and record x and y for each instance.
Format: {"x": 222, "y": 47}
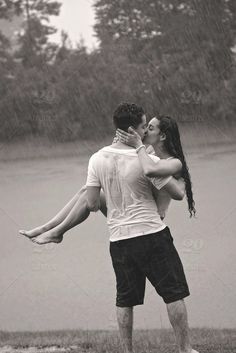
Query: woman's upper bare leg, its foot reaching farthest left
{"x": 60, "y": 216}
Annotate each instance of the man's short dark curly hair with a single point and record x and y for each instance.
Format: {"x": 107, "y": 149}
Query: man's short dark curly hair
{"x": 127, "y": 114}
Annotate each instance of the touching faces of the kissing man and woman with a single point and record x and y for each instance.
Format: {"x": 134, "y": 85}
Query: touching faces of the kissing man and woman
{"x": 150, "y": 133}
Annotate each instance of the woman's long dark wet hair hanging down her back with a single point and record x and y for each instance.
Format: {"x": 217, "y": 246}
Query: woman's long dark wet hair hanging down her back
{"x": 173, "y": 146}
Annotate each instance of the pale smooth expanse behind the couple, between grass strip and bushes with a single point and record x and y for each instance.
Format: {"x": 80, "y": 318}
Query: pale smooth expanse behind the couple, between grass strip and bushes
{"x": 72, "y": 285}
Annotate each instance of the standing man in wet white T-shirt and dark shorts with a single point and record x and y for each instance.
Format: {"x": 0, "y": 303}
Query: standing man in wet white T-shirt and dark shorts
{"x": 140, "y": 243}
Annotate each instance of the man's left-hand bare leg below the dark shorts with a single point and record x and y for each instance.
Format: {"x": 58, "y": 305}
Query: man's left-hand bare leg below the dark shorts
{"x": 125, "y": 322}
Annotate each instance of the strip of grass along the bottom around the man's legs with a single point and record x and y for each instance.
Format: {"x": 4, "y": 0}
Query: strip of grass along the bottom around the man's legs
{"x": 205, "y": 340}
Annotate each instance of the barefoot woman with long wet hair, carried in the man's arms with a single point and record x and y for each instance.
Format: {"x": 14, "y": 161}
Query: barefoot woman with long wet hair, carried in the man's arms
{"x": 163, "y": 136}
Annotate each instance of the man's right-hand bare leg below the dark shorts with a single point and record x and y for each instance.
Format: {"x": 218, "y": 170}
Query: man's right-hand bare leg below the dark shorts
{"x": 179, "y": 320}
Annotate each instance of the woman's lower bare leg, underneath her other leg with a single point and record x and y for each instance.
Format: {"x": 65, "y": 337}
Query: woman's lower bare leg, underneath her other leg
{"x": 77, "y": 215}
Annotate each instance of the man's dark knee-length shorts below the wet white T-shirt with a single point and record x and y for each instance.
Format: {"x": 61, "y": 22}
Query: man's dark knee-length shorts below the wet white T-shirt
{"x": 153, "y": 256}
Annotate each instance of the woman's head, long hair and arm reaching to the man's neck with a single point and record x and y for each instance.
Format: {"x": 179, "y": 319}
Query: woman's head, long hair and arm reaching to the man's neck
{"x": 163, "y": 135}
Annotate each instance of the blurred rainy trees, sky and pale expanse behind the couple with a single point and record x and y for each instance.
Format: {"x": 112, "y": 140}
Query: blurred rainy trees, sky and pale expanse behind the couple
{"x": 64, "y": 67}
